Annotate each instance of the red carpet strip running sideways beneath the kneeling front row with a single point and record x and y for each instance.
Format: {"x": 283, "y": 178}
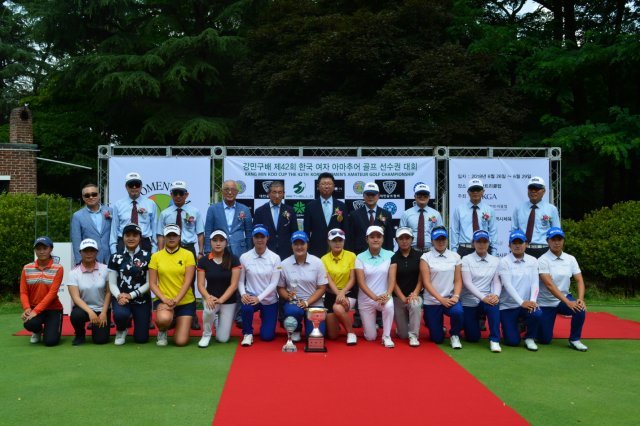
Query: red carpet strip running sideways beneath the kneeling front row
{"x": 599, "y": 325}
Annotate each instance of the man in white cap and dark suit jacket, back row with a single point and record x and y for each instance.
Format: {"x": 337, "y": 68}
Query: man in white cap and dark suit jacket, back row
{"x": 368, "y": 215}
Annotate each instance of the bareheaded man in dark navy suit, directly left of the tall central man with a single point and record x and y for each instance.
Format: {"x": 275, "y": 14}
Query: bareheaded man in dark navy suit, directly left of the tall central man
{"x": 279, "y": 219}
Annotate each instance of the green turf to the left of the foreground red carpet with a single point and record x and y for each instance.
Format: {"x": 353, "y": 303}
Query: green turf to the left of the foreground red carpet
{"x": 91, "y": 384}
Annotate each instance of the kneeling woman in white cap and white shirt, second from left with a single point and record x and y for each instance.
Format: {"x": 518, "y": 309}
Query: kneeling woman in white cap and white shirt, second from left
{"x": 89, "y": 292}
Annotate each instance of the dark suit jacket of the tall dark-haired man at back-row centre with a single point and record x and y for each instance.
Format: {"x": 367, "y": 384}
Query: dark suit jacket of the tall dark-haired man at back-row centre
{"x": 316, "y": 227}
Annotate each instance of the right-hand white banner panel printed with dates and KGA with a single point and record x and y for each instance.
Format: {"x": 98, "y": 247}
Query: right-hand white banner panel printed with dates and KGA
{"x": 505, "y": 182}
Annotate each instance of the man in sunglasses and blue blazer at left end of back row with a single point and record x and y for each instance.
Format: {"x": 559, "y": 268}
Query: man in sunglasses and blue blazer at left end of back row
{"x": 92, "y": 221}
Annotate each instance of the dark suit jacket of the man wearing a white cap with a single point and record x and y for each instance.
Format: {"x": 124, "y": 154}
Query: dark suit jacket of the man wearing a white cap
{"x": 358, "y": 224}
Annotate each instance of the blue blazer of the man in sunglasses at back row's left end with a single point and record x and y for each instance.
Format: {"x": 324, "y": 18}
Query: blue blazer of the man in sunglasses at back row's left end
{"x": 82, "y": 227}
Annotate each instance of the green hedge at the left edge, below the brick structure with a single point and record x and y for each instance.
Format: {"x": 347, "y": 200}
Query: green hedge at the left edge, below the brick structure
{"x": 23, "y": 217}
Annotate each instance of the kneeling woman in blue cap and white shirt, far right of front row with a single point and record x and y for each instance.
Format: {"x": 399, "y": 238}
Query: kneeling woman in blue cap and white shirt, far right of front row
{"x": 556, "y": 269}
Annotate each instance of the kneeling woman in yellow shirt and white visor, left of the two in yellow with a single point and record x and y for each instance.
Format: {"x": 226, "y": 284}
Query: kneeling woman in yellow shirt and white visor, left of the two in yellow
{"x": 171, "y": 271}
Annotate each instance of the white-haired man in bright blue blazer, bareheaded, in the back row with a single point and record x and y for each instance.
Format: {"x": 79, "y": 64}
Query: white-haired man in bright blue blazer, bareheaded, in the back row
{"x": 233, "y": 218}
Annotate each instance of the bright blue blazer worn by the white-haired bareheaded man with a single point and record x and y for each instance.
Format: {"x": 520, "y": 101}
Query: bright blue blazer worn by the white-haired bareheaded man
{"x": 240, "y": 240}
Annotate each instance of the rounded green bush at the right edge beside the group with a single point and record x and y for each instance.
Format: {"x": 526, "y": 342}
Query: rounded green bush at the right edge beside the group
{"x": 607, "y": 243}
